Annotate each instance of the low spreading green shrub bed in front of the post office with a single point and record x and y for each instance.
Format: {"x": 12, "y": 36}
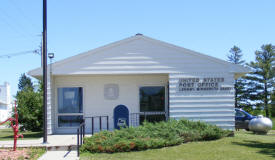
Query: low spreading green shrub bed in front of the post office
{"x": 151, "y": 135}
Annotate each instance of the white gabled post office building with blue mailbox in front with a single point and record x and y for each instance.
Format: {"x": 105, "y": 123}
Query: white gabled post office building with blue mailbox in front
{"x": 139, "y": 78}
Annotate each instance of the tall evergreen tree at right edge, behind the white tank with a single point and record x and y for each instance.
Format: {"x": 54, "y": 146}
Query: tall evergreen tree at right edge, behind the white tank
{"x": 259, "y": 87}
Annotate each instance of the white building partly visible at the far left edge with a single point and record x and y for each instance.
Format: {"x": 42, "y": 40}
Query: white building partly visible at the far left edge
{"x": 5, "y": 101}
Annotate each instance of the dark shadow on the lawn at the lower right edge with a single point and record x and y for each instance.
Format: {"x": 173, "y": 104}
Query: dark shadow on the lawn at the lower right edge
{"x": 266, "y": 148}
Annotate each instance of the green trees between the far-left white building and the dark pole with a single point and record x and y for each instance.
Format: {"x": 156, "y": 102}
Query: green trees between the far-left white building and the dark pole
{"x": 30, "y": 104}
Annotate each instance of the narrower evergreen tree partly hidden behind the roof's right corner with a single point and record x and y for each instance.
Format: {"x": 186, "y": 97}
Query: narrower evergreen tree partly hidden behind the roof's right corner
{"x": 236, "y": 58}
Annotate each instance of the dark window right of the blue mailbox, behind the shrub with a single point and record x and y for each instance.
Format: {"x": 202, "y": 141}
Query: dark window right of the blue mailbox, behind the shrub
{"x": 152, "y": 103}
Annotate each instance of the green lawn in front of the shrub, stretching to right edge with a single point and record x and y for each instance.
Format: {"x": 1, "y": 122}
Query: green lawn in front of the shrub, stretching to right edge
{"x": 243, "y": 146}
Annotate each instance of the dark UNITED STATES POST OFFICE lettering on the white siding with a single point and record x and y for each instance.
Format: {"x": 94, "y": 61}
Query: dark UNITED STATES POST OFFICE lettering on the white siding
{"x": 202, "y": 84}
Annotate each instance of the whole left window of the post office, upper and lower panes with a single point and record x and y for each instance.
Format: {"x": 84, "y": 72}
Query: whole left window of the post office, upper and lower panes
{"x": 70, "y": 106}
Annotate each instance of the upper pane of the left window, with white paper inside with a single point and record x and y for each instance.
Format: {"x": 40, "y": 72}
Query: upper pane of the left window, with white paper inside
{"x": 70, "y": 100}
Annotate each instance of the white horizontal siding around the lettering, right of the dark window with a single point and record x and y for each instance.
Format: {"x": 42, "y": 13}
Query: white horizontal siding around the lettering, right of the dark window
{"x": 214, "y": 107}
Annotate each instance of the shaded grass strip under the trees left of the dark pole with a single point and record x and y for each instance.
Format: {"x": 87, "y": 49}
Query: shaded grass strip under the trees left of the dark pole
{"x": 7, "y": 134}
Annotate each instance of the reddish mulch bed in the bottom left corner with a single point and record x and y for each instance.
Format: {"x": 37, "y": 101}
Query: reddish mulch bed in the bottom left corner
{"x": 9, "y": 154}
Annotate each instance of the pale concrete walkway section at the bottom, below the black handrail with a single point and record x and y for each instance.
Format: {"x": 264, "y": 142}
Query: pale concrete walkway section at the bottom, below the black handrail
{"x": 59, "y": 155}
